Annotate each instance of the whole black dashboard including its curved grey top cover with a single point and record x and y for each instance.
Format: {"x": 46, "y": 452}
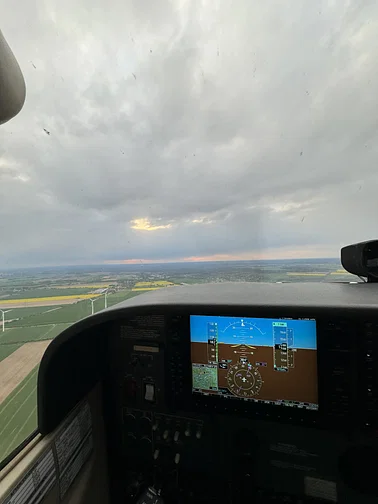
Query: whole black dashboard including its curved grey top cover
{"x": 229, "y": 392}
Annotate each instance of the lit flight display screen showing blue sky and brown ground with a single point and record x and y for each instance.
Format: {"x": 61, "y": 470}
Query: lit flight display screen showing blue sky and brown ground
{"x": 255, "y": 359}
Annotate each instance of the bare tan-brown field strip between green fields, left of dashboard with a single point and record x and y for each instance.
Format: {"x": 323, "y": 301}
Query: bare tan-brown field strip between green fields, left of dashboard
{"x": 15, "y": 367}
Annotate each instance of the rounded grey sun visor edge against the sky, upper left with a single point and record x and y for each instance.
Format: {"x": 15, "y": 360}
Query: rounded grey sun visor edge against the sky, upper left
{"x": 12, "y": 84}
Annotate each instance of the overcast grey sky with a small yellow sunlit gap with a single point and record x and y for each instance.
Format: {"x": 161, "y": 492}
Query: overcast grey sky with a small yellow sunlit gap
{"x": 183, "y": 130}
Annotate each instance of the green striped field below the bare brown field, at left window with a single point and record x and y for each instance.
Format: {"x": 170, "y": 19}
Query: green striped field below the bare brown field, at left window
{"x": 18, "y": 414}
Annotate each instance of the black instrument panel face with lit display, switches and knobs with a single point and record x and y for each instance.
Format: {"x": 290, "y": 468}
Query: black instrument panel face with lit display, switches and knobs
{"x": 260, "y": 406}
